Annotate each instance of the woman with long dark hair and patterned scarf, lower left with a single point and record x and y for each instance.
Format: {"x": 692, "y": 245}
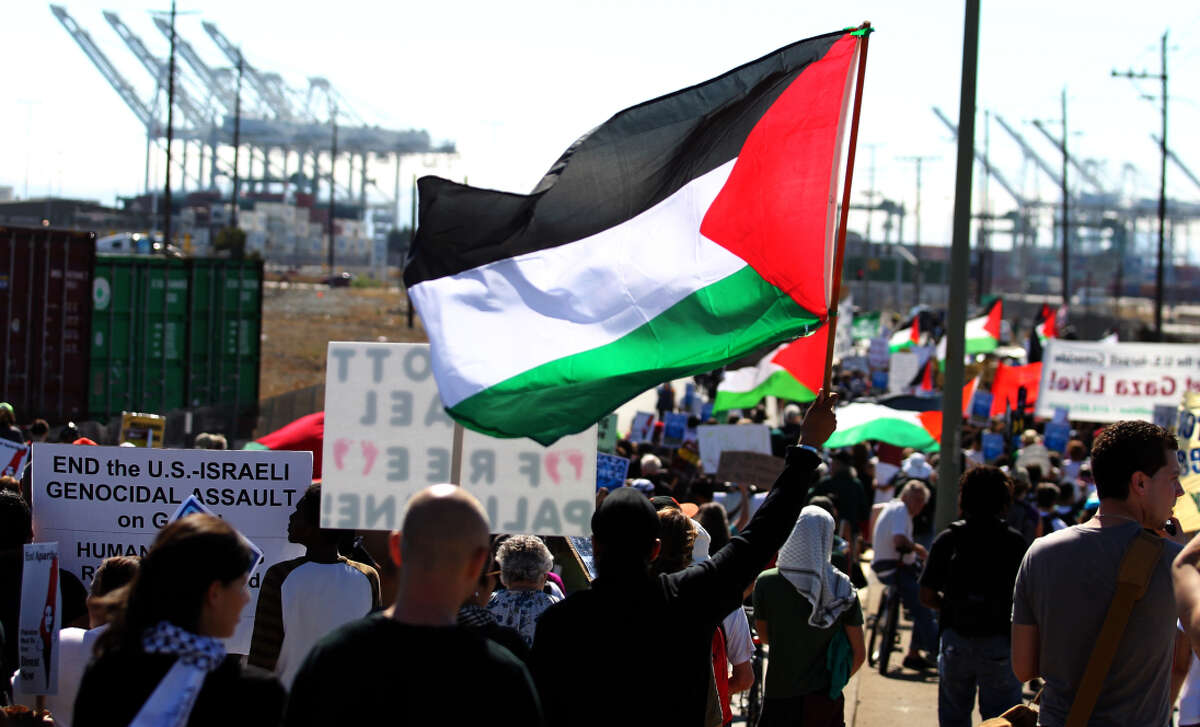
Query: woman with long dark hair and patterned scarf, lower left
{"x": 161, "y": 663}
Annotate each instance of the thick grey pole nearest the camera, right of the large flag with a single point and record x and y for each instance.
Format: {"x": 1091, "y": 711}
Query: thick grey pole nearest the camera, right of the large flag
{"x": 961, "y": 259}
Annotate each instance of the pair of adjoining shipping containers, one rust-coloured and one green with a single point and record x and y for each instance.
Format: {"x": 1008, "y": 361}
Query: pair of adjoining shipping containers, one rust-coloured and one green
{"x": 91, "y": 337}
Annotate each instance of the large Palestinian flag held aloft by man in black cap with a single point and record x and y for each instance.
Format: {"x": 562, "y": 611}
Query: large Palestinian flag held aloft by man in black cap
{"x": 675, "y": 238}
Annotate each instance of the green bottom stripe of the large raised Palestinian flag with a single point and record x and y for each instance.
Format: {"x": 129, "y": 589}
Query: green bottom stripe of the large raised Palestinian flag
{"x": 711, "y": 328}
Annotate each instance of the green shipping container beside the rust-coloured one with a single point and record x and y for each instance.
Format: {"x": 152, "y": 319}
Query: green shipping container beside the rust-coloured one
{"x": 172, "y": 334}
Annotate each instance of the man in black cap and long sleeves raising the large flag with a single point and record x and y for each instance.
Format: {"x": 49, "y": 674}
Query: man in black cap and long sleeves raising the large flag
{"x": 615, "y": 633}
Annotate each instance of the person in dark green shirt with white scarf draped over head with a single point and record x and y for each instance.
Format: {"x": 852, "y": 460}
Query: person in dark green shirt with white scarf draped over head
{"x": 808, "y": 611}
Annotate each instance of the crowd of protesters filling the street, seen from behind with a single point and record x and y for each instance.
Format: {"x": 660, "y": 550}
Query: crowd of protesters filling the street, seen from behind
{"x": 442, "y": 621}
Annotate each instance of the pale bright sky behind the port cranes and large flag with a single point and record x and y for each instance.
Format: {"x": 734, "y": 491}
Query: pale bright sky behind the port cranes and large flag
{"x": 514, "y": 85}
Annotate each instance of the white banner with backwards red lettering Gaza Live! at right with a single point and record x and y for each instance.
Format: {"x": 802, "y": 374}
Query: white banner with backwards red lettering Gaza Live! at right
{"x": 1109, "y": 382}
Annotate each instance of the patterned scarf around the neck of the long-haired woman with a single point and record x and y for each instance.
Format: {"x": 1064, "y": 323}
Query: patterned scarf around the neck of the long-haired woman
{"x": 172, "y": 702}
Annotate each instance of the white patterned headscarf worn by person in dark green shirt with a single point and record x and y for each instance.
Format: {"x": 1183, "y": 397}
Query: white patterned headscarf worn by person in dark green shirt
{"x": 805, "y": 562}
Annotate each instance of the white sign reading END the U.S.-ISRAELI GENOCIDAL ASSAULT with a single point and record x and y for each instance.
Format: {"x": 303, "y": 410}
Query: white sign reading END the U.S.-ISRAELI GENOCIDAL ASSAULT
{"x": 99, "y": 502}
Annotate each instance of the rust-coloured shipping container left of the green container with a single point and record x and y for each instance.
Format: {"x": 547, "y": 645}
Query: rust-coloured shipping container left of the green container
{"x": 46, "y": 303}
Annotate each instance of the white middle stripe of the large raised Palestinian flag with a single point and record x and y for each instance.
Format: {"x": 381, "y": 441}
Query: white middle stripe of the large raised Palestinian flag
{"x": 574, "y": 298}
